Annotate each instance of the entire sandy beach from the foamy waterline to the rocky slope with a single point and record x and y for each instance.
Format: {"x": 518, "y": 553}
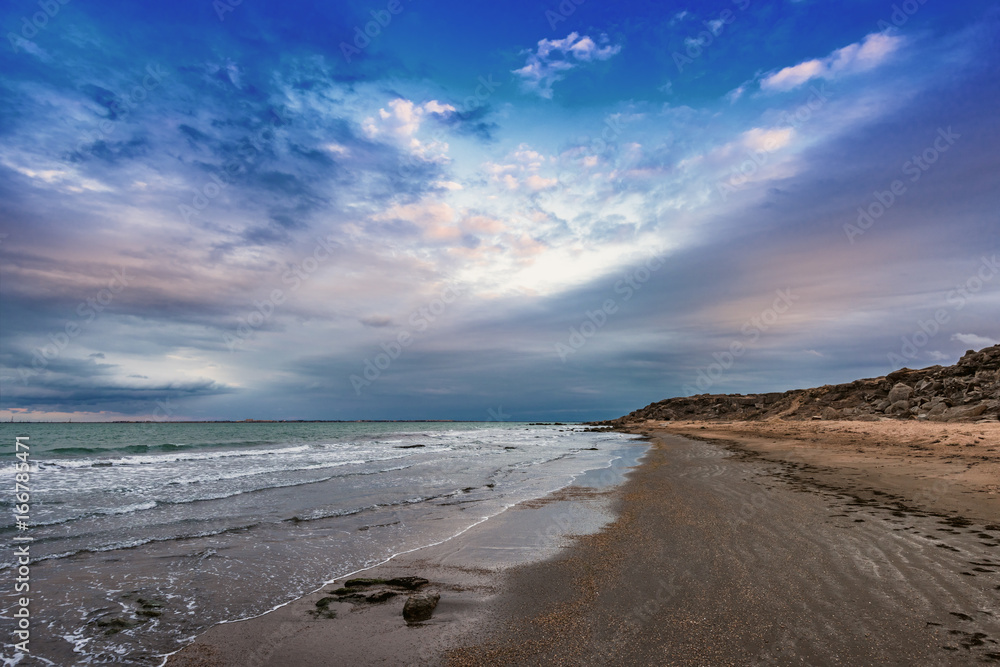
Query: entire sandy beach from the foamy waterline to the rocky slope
{"x": 804, "y": 542}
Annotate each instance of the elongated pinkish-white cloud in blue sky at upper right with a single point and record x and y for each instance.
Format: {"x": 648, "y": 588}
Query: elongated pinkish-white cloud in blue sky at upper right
{"x": 871, "y": 52}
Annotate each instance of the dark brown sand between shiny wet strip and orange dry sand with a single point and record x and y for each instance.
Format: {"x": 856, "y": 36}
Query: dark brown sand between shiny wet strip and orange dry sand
{"x": 719, "y": 557}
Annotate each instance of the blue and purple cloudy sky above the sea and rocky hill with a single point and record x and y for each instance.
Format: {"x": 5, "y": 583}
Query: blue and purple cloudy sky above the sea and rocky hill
{"x": 394, "y": 209}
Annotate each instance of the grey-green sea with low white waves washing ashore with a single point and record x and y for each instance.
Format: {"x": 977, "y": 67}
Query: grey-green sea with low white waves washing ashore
{"x": 172, "y": 528}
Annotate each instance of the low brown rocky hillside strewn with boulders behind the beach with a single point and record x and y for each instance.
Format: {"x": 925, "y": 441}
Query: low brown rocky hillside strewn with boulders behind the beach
{"x": 967, "y": 391}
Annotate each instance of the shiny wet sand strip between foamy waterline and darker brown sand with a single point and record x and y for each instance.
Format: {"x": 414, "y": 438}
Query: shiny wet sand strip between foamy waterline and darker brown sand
{"x": 466, "y": 567}
